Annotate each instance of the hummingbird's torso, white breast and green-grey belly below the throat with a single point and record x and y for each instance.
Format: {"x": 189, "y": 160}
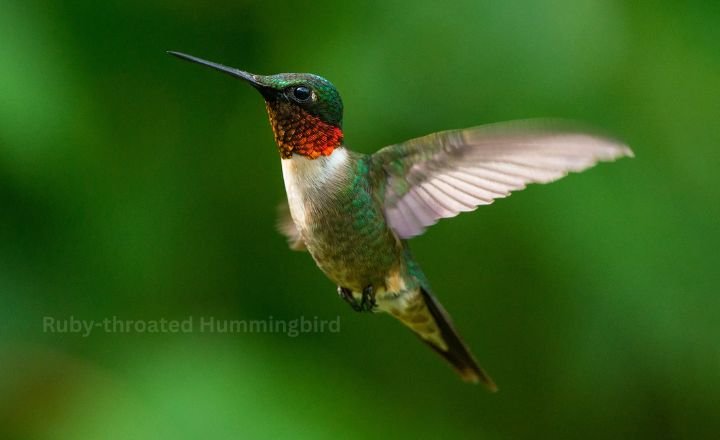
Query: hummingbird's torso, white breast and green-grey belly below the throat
{"x": 343, "y": 227}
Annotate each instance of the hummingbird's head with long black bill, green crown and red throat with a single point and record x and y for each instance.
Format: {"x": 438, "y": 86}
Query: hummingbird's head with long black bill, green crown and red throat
{"x": 305, "y": 110}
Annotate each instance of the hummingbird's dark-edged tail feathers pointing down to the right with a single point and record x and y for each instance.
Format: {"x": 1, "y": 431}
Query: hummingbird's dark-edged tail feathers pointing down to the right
{"x": 429, "y": 320}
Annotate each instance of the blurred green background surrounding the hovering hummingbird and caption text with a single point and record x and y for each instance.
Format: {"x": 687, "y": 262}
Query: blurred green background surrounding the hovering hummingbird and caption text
{"x": 138, "y": 186}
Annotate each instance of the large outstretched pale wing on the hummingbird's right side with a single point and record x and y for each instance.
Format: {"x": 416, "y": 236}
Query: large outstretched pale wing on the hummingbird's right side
{"x": 443, "y": 174}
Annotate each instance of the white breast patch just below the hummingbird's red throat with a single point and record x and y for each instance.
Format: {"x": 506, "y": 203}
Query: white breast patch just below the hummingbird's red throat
{"x": 306, "y": 179}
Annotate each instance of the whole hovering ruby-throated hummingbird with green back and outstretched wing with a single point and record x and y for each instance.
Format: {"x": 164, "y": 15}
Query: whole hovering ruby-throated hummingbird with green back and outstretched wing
{"x": 354, "y": 213}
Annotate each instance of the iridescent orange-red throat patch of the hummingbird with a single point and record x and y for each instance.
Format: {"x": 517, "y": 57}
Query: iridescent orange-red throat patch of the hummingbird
{"x": 298, "y": 132}
